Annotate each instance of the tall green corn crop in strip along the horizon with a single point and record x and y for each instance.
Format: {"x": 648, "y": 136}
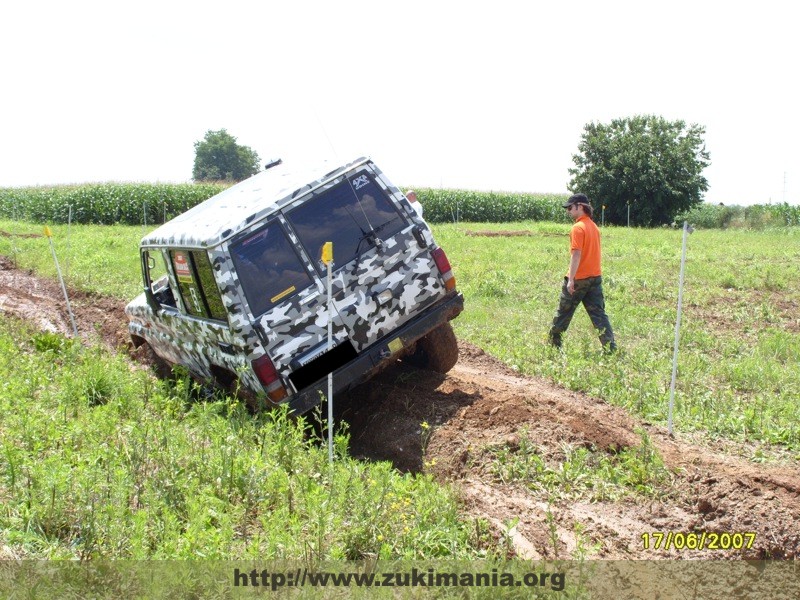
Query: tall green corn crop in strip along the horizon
{"x": 155, "y": 203}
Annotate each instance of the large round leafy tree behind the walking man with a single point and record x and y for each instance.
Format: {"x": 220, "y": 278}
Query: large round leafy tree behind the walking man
{"x": 646, "y": 161}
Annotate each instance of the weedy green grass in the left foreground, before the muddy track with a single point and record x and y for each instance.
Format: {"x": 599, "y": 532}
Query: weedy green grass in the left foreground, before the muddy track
{"x": 101, "y": 461}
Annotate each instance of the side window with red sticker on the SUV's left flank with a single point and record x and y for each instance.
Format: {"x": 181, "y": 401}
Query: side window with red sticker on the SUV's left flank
{"x": 197, "y": 285}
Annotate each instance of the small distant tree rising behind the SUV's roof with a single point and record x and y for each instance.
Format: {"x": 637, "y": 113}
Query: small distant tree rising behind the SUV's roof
{"x": 218, "y": 156}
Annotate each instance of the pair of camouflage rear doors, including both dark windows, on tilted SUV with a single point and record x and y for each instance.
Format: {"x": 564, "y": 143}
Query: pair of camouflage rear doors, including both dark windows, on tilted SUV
{"x": 382, "y": 275}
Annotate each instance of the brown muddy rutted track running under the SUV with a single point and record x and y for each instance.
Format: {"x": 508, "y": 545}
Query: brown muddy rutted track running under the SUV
{"x": 481, "y": 403}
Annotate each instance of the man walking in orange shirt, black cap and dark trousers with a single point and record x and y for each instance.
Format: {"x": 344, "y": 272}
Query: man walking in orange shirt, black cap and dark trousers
{"x": 584, "y": 282}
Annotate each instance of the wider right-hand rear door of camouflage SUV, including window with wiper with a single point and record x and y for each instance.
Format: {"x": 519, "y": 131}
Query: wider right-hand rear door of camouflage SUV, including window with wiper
{"x": 382, "y": 275}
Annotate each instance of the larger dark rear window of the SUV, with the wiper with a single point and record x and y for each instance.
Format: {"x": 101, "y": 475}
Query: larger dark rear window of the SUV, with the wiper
{"x": 350, "y": 214}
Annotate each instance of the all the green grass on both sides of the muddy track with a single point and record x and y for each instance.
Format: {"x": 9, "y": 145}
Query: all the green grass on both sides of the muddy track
{"x": 100, "y": 461}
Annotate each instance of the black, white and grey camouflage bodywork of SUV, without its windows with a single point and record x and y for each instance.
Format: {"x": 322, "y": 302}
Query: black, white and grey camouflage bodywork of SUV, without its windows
{"x": 294, "y": 330}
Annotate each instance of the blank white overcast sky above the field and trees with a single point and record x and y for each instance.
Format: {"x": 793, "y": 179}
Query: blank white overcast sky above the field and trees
{"x": 478, "y": 95}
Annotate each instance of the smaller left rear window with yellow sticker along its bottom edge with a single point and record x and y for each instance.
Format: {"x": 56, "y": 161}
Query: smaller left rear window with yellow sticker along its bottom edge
{"x": 268, "y": 267}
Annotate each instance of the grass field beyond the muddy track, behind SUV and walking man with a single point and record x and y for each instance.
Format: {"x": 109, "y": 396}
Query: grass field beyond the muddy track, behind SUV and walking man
{"x": 739, "y": 345}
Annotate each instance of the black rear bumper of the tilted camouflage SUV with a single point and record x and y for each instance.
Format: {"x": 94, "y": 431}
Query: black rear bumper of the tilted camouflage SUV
{"x": 368, "y": 362}
